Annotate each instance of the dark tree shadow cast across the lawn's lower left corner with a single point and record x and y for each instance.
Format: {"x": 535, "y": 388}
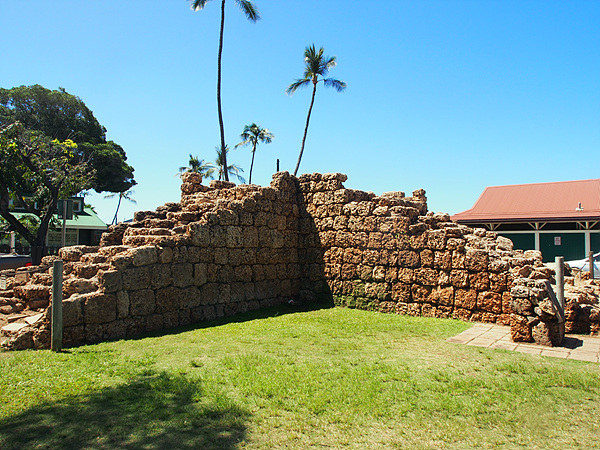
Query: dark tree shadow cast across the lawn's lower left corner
{"x": 158, "y": 411}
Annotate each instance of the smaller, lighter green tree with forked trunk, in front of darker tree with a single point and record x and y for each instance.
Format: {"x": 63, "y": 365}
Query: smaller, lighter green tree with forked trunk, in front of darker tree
{"x": 34, "y": 174}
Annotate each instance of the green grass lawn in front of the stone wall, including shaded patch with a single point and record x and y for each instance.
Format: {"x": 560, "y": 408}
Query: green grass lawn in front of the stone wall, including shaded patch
{"x": 325, "y": 378}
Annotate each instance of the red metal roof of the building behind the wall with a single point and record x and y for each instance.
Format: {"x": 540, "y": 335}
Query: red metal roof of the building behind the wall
{"x": 536, "y": 202}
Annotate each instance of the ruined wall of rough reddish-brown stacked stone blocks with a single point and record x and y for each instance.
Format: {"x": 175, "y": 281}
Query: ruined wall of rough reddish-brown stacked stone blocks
{"x": 226, "y": 249}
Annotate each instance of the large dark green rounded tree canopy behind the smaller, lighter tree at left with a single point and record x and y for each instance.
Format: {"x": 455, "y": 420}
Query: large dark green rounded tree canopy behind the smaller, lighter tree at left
{"x": 60, "y": 115}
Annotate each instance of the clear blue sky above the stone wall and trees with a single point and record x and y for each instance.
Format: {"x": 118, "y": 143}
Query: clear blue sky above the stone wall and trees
{"x": 450, "y": 96}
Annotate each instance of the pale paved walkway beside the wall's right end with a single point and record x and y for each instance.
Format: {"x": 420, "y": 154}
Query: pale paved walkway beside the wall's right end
{"x": 575, "y": 346}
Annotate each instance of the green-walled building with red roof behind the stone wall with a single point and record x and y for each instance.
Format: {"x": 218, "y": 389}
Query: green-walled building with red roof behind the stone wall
{"x": 560, "y": 219}
